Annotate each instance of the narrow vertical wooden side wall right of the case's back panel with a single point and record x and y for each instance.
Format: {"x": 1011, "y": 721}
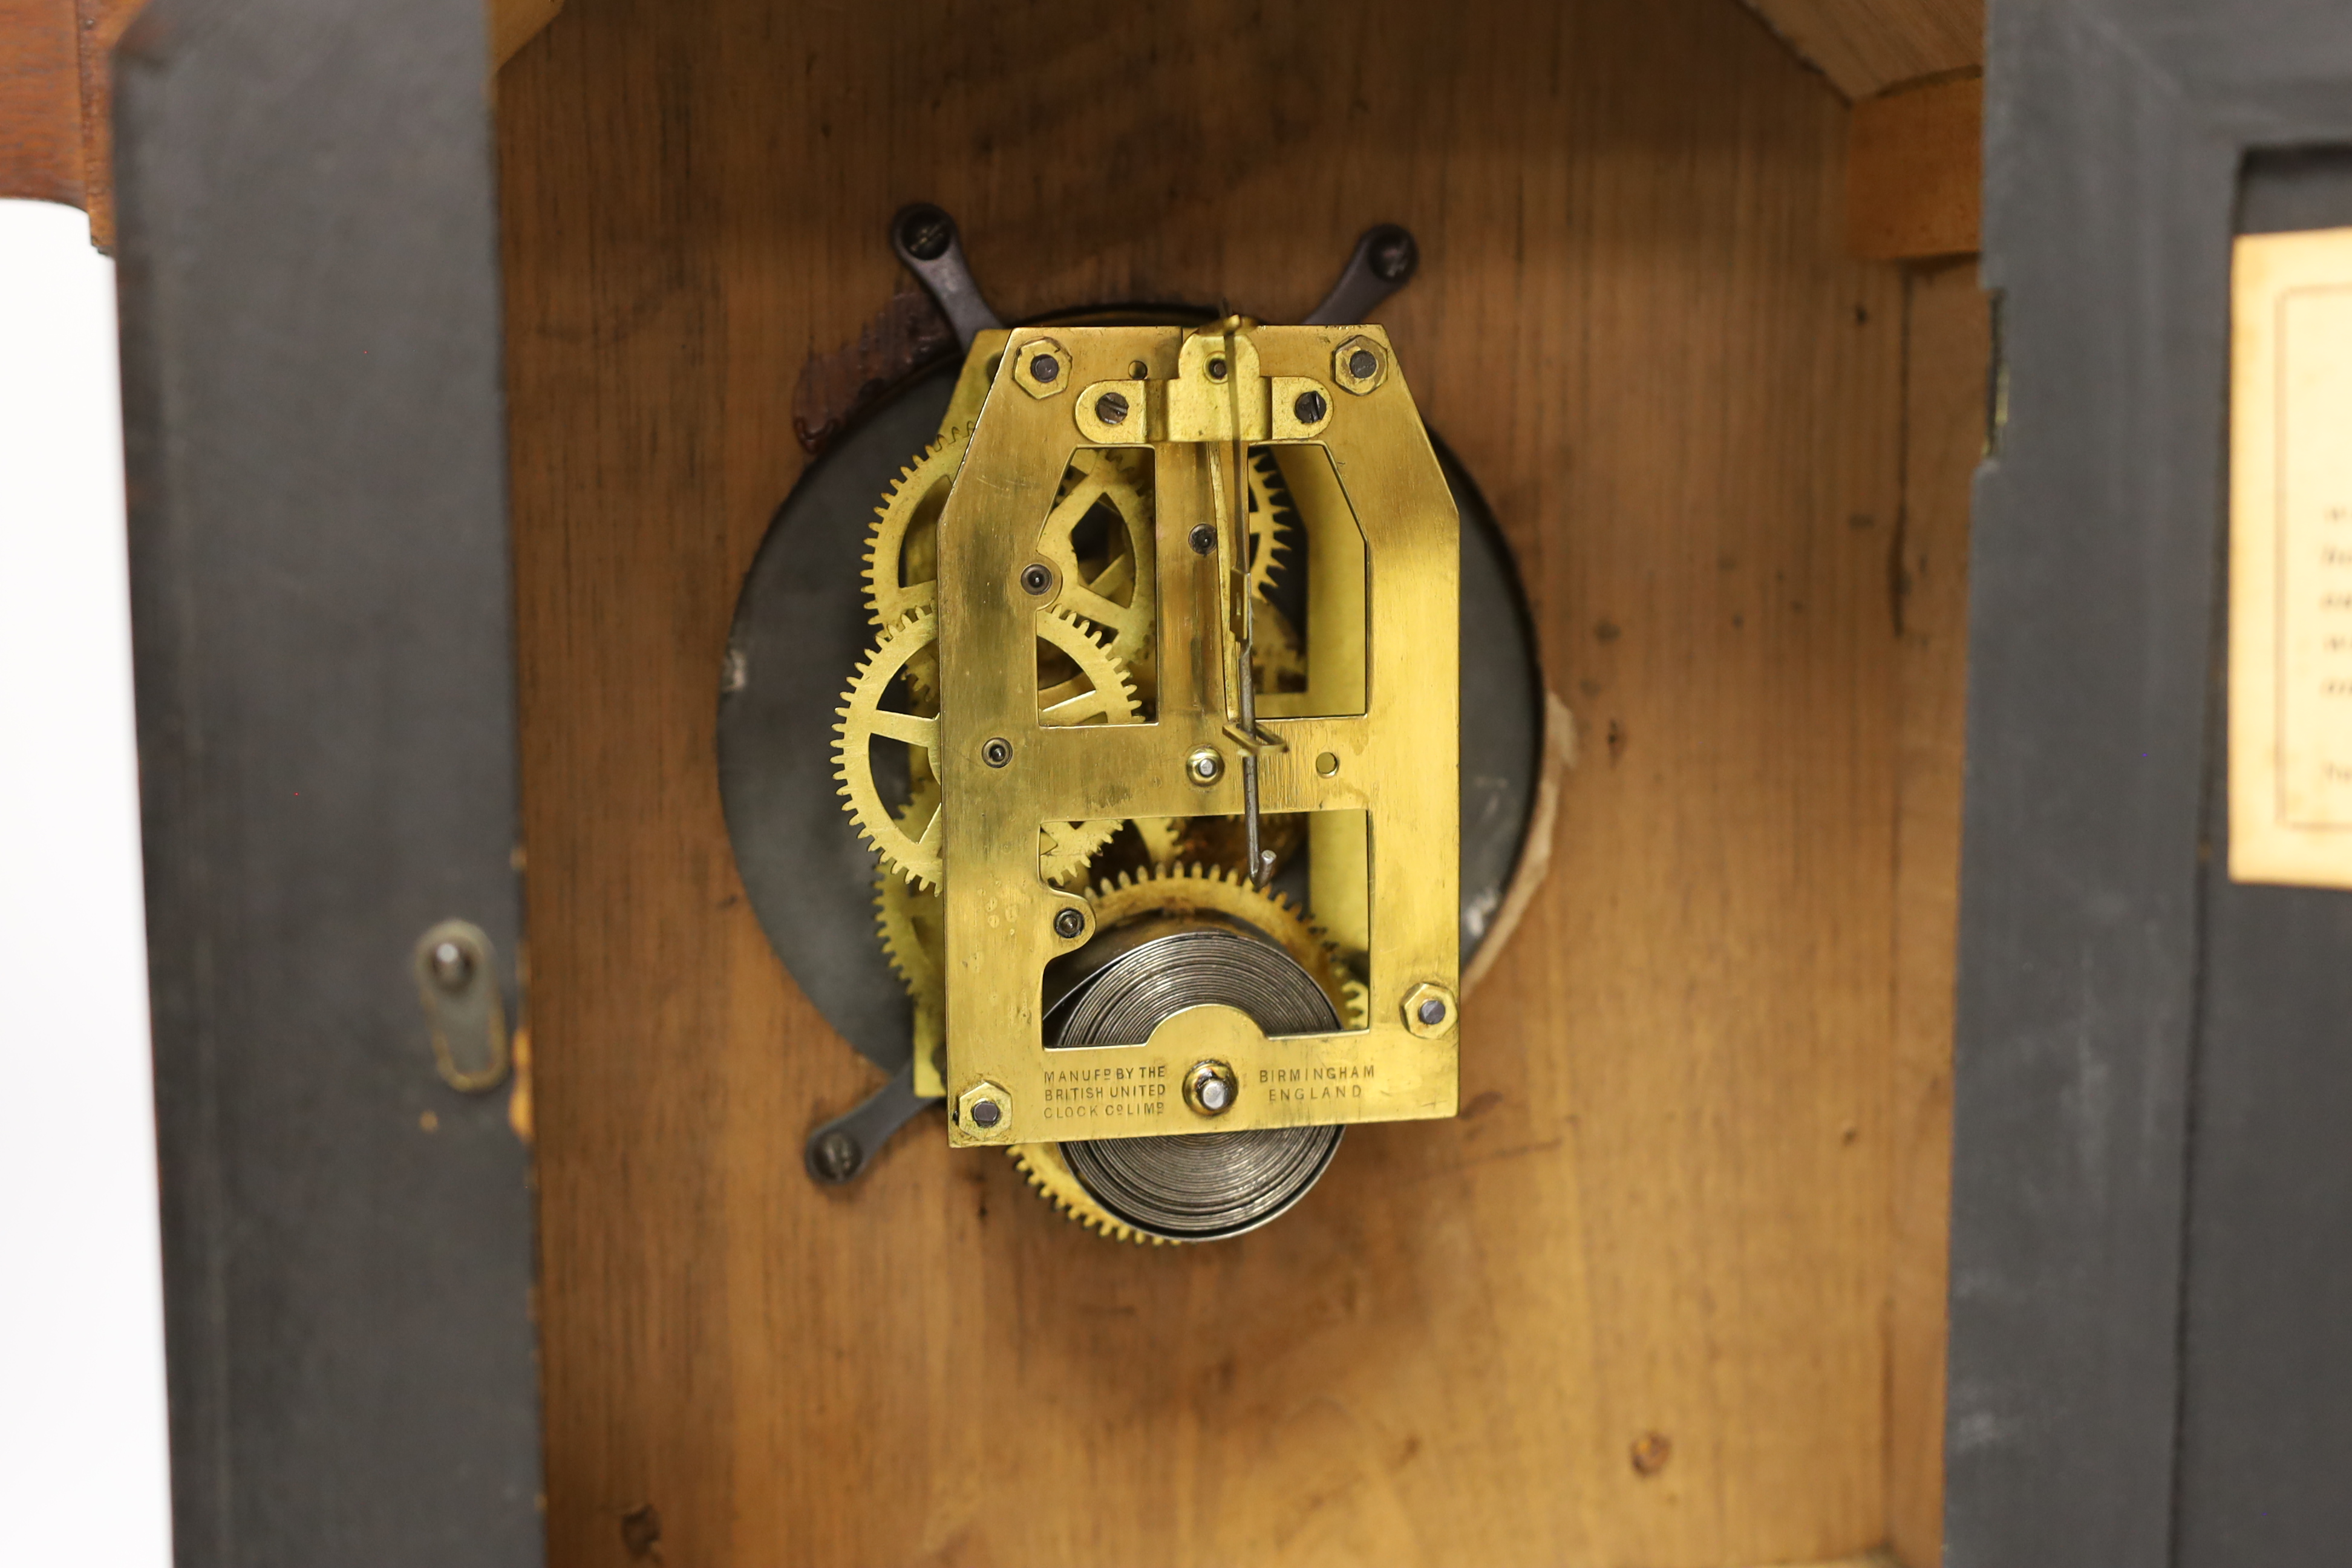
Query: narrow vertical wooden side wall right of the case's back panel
{"x": 1944, "y": 438}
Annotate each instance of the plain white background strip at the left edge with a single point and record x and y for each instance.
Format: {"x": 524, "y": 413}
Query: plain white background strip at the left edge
{"x": 81, "y": 1296}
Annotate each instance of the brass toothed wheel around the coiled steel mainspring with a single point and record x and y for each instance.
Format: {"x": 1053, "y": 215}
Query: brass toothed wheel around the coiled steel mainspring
{"x": 1187, "y": 890}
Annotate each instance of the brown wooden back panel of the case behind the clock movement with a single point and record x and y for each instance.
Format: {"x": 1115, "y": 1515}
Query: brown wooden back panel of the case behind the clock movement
{"x": 1662, "y": 1224}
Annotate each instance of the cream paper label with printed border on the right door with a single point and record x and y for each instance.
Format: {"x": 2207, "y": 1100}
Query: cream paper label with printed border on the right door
{"x": 2292, "y": 561}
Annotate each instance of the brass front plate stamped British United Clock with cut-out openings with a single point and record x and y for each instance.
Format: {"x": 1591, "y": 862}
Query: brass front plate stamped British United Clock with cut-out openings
{"x": 1396, "y": 760}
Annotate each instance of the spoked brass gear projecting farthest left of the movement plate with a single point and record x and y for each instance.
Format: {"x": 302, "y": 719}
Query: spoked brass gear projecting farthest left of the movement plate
{"x": 1107, "y": 697}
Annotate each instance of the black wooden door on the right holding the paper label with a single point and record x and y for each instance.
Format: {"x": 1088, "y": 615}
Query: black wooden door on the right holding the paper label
{"x": 2151, "y": 1261}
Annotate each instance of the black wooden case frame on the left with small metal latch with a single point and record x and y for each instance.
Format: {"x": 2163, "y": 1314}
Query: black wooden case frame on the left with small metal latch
{"x": 323, "y": 634}
